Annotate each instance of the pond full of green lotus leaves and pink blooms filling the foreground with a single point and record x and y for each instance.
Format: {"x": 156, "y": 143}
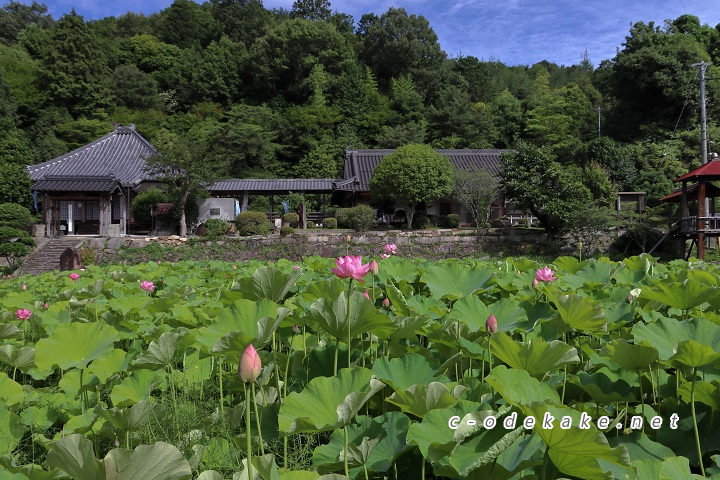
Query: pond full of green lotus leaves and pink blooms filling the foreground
{"x": 599, "y": 370}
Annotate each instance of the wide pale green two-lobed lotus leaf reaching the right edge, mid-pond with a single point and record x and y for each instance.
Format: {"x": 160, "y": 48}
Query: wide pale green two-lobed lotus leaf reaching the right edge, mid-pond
{"x": 666, "y": 333}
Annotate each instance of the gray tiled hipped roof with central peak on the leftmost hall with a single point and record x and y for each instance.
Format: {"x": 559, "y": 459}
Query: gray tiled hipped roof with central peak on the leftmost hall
{"x": 120, "y": 154}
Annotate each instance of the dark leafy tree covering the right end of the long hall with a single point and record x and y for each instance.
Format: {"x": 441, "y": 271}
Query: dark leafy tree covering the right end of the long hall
{"x": 532, "y": 177}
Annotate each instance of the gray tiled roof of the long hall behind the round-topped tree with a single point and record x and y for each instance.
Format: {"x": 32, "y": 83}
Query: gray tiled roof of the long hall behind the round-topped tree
{"x": 362, "y": 163}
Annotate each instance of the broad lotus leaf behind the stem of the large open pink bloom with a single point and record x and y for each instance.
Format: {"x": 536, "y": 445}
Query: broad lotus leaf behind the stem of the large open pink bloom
{"x": 364, "y": 317}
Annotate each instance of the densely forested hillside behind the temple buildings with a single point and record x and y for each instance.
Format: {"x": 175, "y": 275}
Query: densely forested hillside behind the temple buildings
{"x": 282, "y": 93}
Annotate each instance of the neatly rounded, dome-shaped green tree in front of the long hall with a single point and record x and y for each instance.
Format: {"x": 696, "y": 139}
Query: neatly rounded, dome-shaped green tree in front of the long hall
{"x": 410, "y": 175}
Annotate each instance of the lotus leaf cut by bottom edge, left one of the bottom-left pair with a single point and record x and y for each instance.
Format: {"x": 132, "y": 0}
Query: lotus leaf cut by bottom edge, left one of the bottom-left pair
{"x": 74, "y": 454}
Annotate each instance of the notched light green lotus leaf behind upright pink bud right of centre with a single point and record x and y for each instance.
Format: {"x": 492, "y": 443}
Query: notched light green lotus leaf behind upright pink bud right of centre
{"x": 474, "y": 313}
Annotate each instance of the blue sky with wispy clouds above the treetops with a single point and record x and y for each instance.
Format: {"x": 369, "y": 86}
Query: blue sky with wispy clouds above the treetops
{"x": 515, "y": 32}
